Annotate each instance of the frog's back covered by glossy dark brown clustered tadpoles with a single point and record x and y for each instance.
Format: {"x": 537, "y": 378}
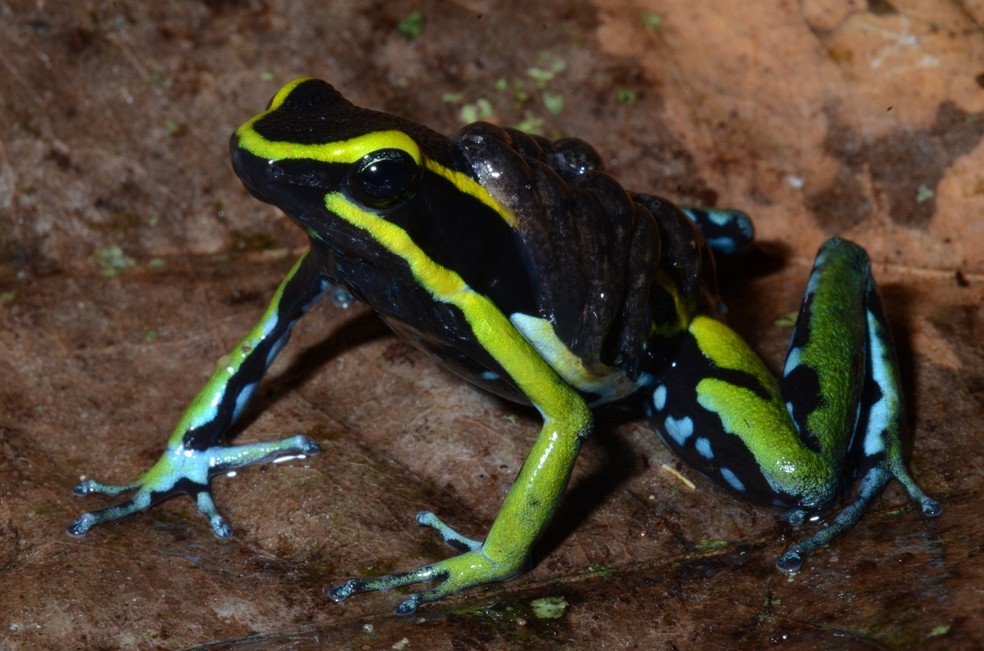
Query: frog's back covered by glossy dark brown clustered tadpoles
{"x": 606, "y": 268}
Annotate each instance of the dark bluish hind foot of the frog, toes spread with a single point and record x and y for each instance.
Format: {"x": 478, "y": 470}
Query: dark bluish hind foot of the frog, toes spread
{"x": 872, "y": 484}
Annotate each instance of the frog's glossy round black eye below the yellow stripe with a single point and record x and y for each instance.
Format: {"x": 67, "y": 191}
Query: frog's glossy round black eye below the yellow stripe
{"x": 383, "y": 177}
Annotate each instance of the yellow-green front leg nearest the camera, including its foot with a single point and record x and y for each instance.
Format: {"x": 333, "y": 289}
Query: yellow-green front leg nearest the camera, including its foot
{"x": 538, "y": 488}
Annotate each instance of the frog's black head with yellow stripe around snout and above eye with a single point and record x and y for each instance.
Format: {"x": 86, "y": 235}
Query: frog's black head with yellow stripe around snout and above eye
{"x": 311, "y": 147}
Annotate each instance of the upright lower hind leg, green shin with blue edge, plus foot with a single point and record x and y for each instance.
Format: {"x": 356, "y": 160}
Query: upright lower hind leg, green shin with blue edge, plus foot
{"x": 841, "y": 372}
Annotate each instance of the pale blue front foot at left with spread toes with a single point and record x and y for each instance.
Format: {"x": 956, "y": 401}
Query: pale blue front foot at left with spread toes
{"x": 183, "y": 470}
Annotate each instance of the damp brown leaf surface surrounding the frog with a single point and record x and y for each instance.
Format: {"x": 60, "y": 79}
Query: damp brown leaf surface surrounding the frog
{"x": 131, "y": 259}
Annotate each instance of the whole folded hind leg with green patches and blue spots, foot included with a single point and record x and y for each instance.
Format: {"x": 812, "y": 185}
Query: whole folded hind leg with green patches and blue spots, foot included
{"x": 836, "y": 412}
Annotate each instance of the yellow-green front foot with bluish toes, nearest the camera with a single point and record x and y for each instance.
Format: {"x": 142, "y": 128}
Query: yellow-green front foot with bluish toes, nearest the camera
{"x": 474, "y": 567}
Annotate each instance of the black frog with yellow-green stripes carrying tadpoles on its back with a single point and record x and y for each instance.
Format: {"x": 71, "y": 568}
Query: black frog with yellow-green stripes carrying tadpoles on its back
{"x": 521, "y": 265}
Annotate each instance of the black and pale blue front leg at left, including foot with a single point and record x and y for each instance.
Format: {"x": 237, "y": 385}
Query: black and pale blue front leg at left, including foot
{"x": 194, "y": 451}
